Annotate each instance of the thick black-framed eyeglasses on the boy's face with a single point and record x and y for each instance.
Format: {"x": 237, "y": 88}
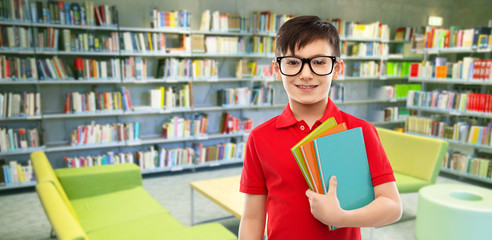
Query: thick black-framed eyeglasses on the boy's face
{"x": 320, "y": 65}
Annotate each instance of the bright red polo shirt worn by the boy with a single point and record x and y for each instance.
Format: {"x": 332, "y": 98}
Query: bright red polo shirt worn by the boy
{"x": 269, "y": 168}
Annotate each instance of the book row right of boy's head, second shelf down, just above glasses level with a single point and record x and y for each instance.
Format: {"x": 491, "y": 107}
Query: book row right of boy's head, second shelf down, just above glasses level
{"x": 364, "y": 49}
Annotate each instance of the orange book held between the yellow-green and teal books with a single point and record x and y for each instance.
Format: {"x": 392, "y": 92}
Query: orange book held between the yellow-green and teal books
{"x": 307, "y": 150}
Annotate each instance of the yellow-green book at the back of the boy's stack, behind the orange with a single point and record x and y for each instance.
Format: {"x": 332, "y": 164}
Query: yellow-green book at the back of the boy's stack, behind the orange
{"x": 329, "y": 123}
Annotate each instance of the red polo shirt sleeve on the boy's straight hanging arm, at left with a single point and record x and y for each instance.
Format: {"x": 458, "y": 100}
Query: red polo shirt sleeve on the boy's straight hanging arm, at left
{"x": 252, "y": 177}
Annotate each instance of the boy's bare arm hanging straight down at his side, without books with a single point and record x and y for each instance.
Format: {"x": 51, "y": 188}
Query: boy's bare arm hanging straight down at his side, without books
{"x": 252, "y": 224}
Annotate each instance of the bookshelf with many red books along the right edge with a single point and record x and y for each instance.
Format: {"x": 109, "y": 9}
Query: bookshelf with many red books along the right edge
{"x": 455, "y": 111}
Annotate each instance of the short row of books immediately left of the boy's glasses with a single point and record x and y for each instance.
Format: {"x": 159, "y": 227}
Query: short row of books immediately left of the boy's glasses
{"x": 248, "y": 69}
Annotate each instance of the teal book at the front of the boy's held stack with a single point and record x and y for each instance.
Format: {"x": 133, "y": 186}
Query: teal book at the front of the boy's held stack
{"x": 344, "y": 155}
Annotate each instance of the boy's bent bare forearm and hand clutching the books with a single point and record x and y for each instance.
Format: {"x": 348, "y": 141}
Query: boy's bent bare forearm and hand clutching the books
{"x": 385, "y": 209}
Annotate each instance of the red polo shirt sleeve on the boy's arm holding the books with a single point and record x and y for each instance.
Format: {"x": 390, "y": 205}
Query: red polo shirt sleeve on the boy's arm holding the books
{"x": 381, "y": 171}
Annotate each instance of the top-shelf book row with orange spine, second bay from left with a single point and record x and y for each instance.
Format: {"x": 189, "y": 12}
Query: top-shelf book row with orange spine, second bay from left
{"x": 173, "y": 19}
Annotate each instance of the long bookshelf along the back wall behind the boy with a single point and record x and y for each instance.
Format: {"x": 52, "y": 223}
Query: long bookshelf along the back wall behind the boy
{"x": 133, "y": 71}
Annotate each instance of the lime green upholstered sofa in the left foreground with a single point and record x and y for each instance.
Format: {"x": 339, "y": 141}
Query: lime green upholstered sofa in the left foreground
{"x": 109, "y": 202}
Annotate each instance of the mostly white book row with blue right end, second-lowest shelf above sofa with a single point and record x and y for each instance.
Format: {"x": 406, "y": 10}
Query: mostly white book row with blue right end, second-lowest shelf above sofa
{"x": 107, "y": 133}
